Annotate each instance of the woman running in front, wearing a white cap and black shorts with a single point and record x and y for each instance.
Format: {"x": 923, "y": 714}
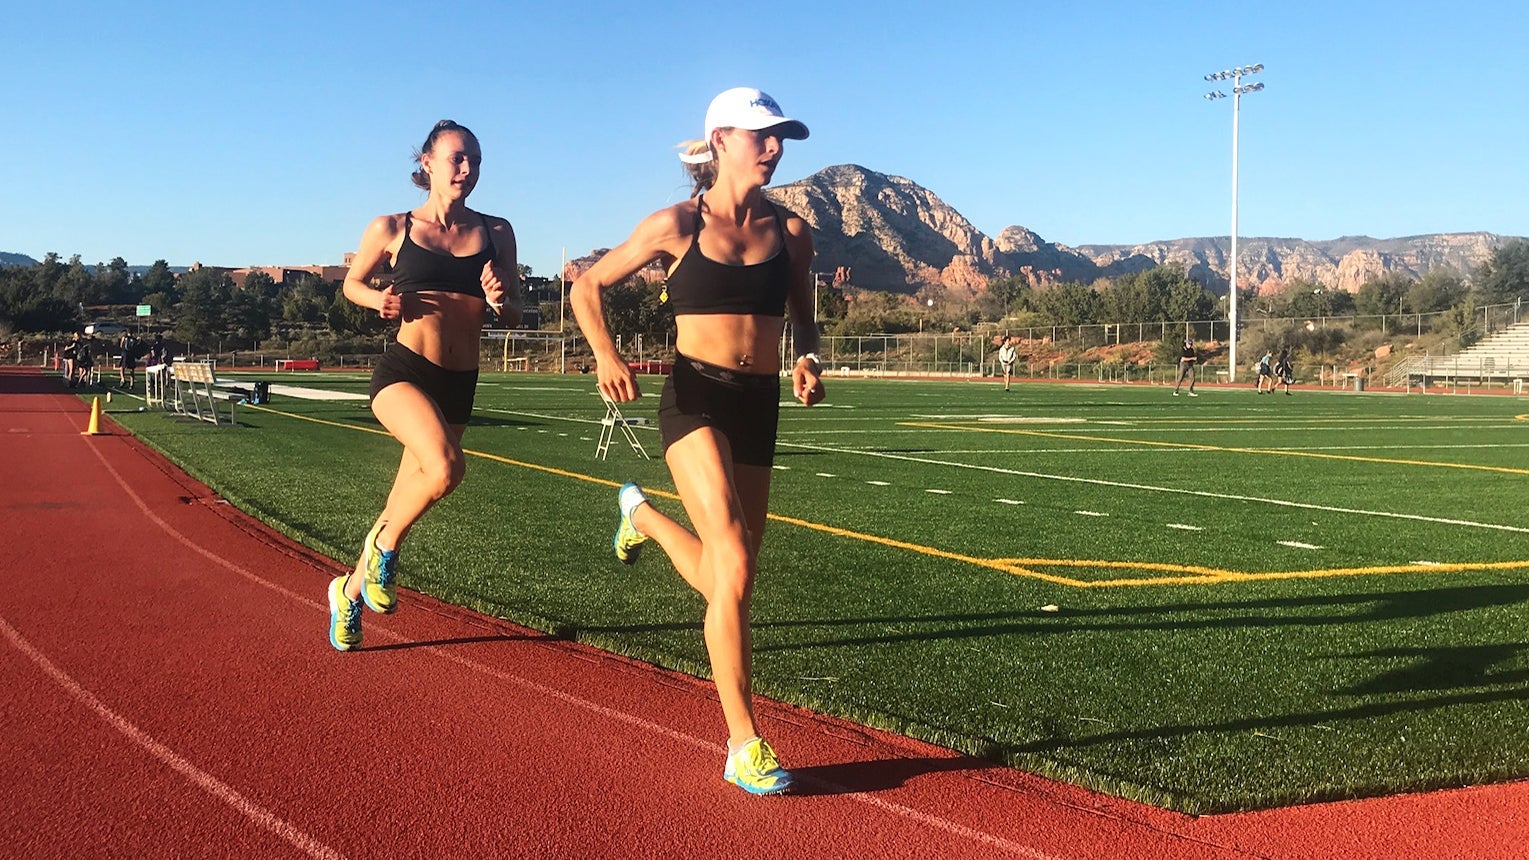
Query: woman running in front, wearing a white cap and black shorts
{"x": 735, "y": 262}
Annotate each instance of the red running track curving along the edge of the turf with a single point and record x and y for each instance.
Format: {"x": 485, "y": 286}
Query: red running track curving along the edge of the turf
{"x": 170, "y": 692}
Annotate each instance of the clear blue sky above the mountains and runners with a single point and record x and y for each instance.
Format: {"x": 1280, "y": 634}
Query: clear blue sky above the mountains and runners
{"x": 239, "y": 134}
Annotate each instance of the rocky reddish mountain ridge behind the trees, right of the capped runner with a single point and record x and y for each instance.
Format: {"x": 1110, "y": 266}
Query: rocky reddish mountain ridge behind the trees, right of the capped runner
{"x": 898, "y": 236}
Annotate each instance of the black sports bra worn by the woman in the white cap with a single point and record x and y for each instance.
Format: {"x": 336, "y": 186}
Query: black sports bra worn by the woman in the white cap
{"x": 701, "y": 285}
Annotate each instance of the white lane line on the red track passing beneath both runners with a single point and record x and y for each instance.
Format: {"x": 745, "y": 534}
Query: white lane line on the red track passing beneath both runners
{"x": 712, "y": 746}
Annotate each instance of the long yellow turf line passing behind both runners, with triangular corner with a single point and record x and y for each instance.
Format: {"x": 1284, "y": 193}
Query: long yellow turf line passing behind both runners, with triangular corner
{"x": 1014, "y": 567}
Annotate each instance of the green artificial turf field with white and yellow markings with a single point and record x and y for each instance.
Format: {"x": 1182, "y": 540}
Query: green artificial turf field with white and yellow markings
{"x": 1216, "y": 604}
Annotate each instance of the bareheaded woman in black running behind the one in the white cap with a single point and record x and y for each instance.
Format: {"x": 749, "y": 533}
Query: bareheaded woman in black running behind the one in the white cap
{"x": 450, "y": 267}
